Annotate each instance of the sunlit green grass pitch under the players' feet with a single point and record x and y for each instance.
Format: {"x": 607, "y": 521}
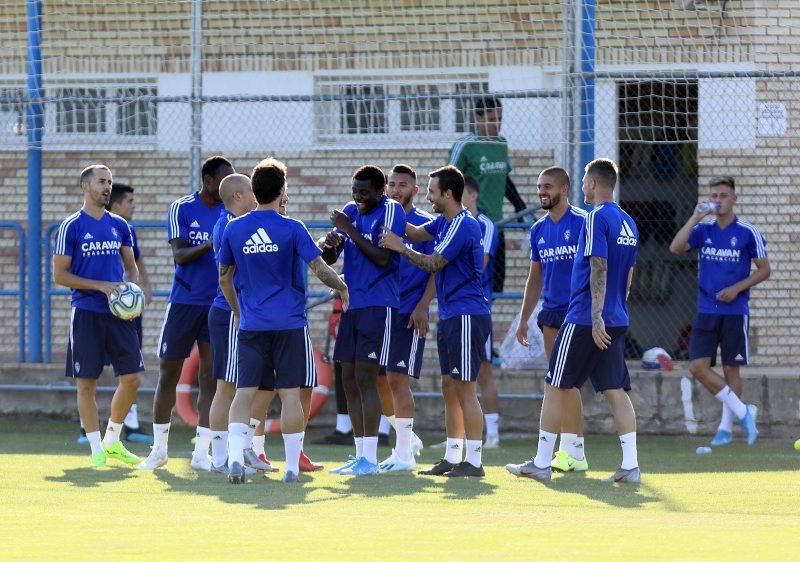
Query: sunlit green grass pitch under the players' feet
{"x": 740, "y": 502}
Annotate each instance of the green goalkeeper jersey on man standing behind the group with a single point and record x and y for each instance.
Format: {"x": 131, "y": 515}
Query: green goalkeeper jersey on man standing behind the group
{"x": 486, "y": 160}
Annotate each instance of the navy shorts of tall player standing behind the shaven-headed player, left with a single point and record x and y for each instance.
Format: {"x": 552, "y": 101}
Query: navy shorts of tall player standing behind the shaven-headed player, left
{"x": 184, "y": 324}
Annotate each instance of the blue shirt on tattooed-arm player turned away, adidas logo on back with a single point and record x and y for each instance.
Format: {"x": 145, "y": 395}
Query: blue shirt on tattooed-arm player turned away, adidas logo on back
{"x": 609, "y": 233}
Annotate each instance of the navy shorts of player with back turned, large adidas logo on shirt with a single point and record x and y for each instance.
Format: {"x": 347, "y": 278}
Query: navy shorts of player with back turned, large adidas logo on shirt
{"x": 276, "y": 359}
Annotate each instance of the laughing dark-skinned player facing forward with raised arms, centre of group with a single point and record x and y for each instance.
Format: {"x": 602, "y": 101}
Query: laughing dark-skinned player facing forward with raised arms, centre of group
{"x": 373, "y": 275}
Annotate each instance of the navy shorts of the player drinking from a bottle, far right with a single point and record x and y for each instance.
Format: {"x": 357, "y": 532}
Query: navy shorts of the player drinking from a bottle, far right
{"x": 728, "y": 332}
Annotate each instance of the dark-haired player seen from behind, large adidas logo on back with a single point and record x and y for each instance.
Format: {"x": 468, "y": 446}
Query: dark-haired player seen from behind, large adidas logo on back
{"x": 267, "y": 250}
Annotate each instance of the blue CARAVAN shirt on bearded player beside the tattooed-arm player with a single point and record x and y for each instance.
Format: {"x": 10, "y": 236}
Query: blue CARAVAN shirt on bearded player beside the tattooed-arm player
{"x": 554, "y": 245}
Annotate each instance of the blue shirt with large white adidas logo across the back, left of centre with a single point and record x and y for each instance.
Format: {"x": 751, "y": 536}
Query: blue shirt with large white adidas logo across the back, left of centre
{"x": 270, "y": 252}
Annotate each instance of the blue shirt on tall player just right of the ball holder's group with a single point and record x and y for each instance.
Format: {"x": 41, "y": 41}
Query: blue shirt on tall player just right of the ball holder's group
{"x": 190, "y": 218}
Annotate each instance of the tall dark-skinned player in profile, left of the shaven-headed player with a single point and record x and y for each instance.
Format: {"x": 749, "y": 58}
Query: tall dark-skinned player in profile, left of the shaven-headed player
{"x": 190, "y": 223}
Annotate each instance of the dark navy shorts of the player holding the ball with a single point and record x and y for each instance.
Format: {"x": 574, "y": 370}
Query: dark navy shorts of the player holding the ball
{"x": 95, "y": 336}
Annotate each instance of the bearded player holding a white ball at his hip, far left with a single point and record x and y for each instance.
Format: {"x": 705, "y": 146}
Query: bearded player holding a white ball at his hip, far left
{"x": 93, "y": 254}
